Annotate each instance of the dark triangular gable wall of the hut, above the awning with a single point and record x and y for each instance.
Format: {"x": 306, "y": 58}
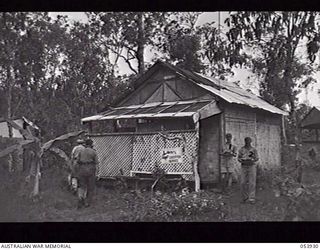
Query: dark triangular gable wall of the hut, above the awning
{"x": 164, "y": 85}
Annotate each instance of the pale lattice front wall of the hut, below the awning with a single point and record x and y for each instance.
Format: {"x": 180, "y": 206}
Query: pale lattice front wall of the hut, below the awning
{"x": 130, "y": 153}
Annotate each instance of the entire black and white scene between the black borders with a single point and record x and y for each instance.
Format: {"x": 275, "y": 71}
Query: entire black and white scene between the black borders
{"x": 160, "y": 116}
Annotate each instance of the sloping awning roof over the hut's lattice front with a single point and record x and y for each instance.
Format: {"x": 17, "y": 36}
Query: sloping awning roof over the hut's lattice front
{"x": 197, "y": 109}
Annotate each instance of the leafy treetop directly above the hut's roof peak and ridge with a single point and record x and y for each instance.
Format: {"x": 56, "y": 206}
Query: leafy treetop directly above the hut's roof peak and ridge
{"x": 201, "y": 48}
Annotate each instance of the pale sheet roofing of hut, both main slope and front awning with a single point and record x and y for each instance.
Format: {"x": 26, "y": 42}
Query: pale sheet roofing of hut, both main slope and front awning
{"x": 227, "y": 91}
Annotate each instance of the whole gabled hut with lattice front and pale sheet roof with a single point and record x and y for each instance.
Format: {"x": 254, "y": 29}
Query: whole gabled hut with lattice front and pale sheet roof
{"x": 177, "y": 120}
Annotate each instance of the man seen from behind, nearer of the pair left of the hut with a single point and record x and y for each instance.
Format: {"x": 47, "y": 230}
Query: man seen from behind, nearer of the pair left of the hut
{"x": 87, "y": 162}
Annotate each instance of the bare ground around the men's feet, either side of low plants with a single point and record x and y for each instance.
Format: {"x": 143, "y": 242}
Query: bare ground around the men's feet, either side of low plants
{"x": 57, "y": 203}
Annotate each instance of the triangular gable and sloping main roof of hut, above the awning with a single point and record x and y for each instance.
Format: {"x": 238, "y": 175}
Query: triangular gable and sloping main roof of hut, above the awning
{"x": 164, "y": 82}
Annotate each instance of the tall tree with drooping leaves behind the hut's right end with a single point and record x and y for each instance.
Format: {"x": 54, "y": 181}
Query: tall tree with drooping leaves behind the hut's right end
{"x": 273, "y": 39}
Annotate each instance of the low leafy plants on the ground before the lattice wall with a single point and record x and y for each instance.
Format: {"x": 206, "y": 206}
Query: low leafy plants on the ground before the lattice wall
{"x": 171, "y": 207}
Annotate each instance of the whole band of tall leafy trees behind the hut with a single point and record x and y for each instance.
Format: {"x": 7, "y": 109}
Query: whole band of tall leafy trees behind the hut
{"x": 55, "y": 71}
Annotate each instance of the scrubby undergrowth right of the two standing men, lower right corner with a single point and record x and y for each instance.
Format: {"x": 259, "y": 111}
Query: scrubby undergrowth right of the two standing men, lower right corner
{"x": 302, "y": 198}
